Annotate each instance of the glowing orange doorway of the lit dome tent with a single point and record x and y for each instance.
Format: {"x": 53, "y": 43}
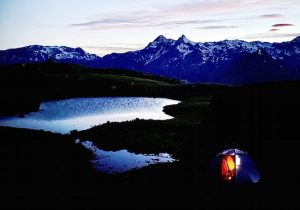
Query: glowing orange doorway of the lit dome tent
{"x": 228, "y": 168}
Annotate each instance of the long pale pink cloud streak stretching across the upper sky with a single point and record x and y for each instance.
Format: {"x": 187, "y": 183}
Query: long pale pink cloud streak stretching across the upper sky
{"x": 176, "y": 15}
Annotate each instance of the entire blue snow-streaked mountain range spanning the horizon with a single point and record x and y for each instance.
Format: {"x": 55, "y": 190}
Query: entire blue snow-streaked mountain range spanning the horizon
{"x": 225, "y": 62}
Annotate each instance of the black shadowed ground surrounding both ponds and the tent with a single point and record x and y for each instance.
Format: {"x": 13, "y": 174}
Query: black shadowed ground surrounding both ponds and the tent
{"x": 45, "y": 170}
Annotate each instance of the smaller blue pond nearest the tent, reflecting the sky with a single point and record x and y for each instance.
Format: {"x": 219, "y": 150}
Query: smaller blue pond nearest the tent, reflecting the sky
{"x": 122, "y": 161}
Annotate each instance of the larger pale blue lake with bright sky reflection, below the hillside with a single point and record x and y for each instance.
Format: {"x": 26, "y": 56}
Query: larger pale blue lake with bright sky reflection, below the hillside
{"x": 62, "y": 116}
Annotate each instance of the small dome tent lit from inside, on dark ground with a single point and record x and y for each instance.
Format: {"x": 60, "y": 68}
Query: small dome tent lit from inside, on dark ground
{"x": 235, "y": 166}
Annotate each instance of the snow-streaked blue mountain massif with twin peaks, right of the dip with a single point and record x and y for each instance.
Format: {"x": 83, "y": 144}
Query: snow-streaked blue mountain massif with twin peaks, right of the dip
{"x": 211, "y": 62}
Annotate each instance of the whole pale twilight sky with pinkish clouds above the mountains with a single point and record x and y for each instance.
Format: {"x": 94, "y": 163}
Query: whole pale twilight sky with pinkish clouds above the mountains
{"x": 105, "y": 26}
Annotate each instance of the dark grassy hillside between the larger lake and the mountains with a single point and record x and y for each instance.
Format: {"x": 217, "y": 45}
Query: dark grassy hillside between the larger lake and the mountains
{"x": 29, "y": 84}
